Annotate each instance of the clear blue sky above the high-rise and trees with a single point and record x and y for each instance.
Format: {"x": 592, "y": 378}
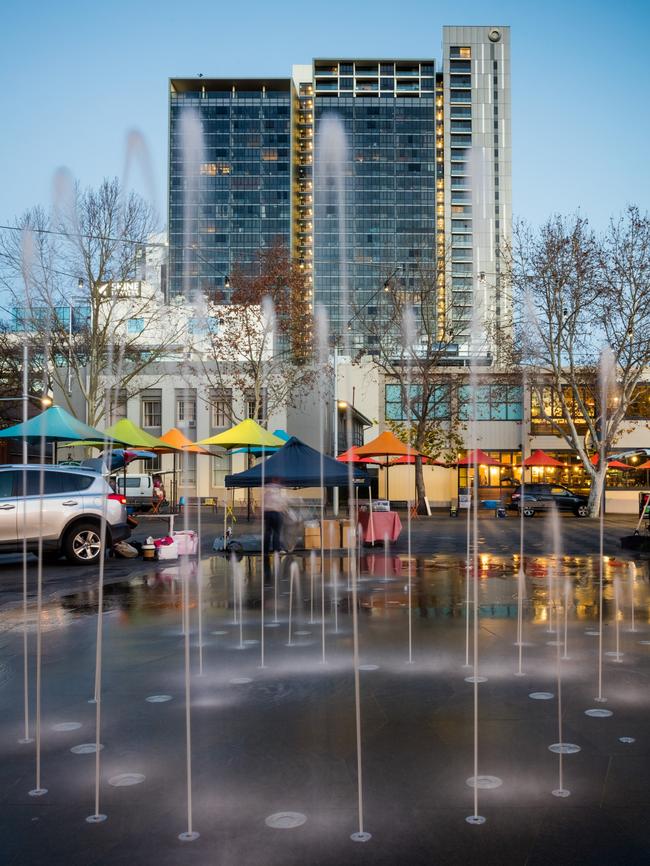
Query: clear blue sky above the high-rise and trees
{"x": 77, "y": 76}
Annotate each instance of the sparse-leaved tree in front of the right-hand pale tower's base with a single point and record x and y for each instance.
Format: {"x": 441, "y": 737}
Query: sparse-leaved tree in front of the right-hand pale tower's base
{"x": 411, "y": 343}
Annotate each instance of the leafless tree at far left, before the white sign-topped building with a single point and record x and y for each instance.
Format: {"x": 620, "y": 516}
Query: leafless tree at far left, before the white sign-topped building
{"x": 71, "y": 275}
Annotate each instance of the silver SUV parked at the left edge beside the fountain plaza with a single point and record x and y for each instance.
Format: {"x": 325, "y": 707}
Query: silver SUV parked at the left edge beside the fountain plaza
{"x": 63, "y": 505}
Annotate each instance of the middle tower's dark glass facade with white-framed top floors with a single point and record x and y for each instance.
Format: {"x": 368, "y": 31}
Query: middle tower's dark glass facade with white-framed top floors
{"x": 390, "y": 180}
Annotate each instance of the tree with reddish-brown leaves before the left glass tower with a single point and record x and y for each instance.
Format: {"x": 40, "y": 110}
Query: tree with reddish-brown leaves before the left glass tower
{"x": 251, "y": 345}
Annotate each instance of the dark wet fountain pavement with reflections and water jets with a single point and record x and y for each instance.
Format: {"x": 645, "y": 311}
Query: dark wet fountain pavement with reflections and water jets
{"x": 281, "y": 739}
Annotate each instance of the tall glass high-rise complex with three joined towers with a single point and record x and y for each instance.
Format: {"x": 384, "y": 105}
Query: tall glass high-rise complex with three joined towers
{"x": 427, "y": 179}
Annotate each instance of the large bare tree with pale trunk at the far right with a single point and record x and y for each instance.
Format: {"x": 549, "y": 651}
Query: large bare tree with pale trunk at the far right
{"x": 579, "y": 294}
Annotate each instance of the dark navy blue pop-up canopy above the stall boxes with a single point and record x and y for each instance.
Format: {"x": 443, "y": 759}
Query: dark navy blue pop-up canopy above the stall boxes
{"x": 298, "y": 465}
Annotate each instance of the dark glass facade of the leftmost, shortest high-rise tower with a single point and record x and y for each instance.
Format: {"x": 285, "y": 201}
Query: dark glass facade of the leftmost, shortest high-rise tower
{"x": 243, "y": 190}
